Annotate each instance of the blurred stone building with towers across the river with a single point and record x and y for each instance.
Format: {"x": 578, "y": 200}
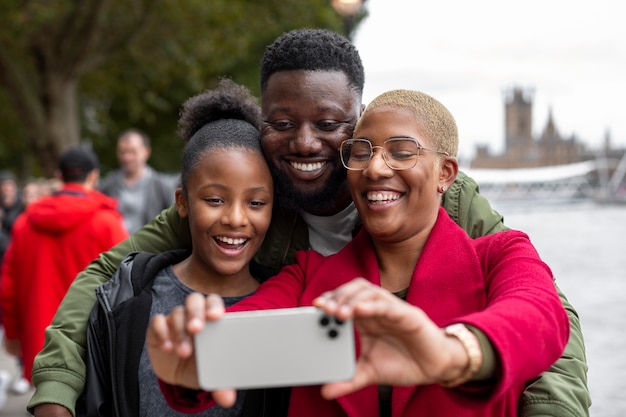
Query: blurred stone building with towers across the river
{"x": 522, "y": 149}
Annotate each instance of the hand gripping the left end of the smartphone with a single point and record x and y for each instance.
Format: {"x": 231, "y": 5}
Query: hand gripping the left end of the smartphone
{"x": 170, "y": 344}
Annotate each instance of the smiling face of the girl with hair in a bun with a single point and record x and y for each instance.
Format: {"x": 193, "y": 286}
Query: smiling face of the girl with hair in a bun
{"x": 229, "y": 205}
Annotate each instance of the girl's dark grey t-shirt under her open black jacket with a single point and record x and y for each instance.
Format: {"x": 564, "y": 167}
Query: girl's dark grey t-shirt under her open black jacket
{"x": 167, "y": 293}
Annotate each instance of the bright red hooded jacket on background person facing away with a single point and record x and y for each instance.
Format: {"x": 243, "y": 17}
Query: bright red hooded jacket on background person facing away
{"x": 51, "y": 242}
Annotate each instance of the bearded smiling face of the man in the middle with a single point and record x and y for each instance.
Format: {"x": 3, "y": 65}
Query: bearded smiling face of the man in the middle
{"x": 307, "y": 114}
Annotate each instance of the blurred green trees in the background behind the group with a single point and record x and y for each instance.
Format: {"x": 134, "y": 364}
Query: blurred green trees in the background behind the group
{"x": 84, "y": 70}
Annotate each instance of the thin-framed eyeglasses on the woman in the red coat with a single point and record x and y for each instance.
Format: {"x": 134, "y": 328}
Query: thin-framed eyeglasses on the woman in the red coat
{"x": 398, "y": 153}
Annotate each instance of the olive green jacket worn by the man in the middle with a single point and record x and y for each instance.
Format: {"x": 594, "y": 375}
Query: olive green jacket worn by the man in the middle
{"x": 59, "y": 370}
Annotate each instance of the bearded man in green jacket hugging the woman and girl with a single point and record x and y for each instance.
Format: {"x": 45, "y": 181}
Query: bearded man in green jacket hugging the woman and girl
{"x": 311, "y": 85}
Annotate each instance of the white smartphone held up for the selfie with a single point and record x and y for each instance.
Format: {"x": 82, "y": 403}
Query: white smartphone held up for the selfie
{"x": 274, "y": 348}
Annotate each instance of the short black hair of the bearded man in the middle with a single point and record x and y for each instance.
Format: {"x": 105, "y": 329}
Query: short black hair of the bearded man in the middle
{"x": 313, "y": 50}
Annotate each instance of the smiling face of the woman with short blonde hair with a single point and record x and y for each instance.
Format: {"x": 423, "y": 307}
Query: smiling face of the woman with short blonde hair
{"x": 396, "y": 205}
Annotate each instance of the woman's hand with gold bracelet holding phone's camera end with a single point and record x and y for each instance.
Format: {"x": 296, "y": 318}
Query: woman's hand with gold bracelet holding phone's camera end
{"x": 400, "y": 345}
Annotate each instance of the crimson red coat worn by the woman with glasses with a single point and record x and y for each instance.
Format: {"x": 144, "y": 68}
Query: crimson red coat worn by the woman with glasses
{"x": 496, "y": 283}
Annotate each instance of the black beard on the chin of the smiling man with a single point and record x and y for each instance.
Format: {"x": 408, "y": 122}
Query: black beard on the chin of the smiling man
{"x": 293, "y": 199}
